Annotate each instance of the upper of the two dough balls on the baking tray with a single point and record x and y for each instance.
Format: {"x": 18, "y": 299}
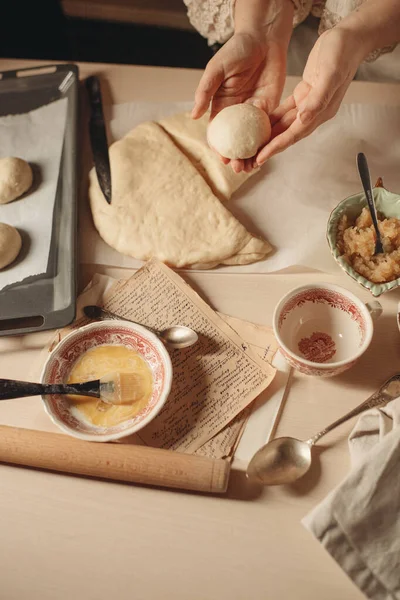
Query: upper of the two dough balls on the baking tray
{"x": 15, "y": 178}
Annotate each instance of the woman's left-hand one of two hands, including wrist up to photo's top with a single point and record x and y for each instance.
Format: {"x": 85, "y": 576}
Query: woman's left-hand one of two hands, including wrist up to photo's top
{"x": 251, "y": 66}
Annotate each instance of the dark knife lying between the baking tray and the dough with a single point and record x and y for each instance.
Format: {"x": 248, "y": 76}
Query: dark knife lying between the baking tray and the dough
{"x": 98, "y": 137}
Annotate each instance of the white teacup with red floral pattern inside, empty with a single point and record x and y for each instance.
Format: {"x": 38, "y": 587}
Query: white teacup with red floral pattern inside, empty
{"x": 323, "y": 329}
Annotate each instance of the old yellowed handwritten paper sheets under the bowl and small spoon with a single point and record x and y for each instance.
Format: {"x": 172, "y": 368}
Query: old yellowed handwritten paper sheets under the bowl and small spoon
{"x": 214, "y": 382}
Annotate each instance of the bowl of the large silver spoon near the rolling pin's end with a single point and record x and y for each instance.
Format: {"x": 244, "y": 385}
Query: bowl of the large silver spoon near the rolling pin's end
{"x": 283, "y": 460}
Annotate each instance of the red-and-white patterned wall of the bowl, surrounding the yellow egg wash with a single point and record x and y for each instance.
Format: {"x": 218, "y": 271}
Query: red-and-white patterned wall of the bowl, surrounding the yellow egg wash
{"x": 71, "y": 348}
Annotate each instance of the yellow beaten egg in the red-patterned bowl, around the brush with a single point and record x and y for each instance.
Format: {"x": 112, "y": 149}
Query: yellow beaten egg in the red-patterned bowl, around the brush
{"x": 100, "y": 361}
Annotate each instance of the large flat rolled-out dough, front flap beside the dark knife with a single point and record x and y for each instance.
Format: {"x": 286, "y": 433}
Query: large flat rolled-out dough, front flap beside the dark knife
{"x": 163, "y": 207}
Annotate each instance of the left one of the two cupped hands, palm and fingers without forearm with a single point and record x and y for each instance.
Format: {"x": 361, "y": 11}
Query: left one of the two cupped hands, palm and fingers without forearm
{"x": 246, "y": 69}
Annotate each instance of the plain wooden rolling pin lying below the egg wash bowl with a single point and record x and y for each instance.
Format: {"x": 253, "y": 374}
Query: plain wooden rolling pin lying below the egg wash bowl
{"x": 119, "y": 462}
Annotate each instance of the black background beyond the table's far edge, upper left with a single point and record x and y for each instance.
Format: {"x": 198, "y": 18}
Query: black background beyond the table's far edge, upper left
{"x": 38, "y": 29}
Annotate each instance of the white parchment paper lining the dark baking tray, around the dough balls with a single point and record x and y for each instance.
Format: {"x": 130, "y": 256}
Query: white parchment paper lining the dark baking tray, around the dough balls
{"x": 38, "y": 138}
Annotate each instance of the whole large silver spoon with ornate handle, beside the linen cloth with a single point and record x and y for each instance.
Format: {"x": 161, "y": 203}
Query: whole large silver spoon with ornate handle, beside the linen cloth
{"x": 286, "y": 459}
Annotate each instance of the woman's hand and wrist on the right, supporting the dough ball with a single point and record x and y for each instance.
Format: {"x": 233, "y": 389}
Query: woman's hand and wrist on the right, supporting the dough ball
{"x": 330, "y": 68}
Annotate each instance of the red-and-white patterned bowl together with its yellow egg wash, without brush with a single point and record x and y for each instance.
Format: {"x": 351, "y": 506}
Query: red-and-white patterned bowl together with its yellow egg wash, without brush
{"x": 93, "y": 351}
